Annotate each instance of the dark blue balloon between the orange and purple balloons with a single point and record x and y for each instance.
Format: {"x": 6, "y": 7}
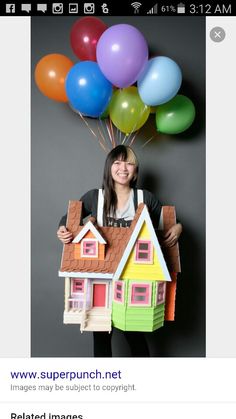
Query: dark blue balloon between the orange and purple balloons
{"x": 88, "y": 91}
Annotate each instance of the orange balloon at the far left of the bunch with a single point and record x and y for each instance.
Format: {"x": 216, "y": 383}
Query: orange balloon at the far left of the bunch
{"x": 50, "y": 75}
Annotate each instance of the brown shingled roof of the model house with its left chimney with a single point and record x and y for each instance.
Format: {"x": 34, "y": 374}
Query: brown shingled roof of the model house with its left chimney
{"x": 117, "y": 239}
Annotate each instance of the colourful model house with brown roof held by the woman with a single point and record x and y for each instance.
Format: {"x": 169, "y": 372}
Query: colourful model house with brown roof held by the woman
{"x": 118, "y": 276}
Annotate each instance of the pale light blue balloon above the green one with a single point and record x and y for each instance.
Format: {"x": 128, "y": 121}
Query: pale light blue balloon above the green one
{"x": 160, "y": 81}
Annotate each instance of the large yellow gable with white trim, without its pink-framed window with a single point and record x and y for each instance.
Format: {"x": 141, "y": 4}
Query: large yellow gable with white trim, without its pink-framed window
{"x": 128, "y": 268}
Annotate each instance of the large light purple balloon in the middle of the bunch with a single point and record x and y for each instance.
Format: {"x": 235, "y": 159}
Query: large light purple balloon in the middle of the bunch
{"x": 122, "y": 52}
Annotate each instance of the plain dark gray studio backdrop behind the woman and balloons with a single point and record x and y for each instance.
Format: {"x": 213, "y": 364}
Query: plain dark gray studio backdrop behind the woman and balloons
{"x": 67, "y": 161}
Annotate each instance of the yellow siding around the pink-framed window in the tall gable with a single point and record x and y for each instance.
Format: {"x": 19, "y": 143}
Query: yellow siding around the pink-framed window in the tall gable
{"x": 134, "y": 270}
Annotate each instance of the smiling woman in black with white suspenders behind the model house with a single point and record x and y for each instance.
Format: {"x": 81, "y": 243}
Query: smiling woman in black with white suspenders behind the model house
{"x": 115, "y": 205}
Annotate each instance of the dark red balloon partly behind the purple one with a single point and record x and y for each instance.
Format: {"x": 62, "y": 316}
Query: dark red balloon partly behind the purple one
{"x": 84, "y": 36}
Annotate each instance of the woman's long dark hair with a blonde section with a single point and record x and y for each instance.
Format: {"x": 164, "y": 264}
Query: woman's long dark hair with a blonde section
{"x": 124, "y": 153}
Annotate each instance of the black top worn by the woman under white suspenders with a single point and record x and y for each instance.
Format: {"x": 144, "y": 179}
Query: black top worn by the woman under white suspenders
{"x": 90, "y": 202}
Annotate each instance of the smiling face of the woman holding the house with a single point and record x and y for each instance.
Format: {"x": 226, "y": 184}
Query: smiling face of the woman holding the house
{"x": 123, "y": 172}
